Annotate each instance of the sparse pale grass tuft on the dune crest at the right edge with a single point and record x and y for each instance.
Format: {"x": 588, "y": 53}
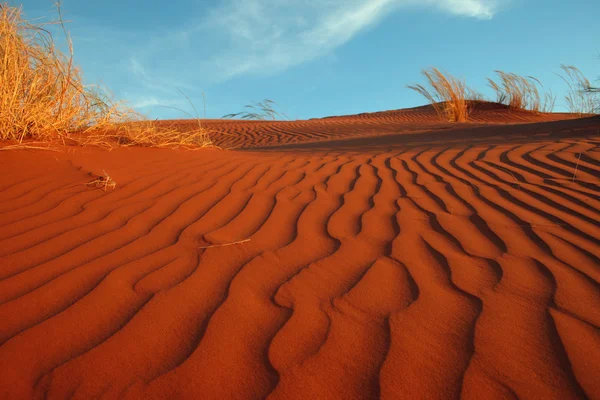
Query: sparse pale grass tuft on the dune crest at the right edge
{"x": 580, "y": 97}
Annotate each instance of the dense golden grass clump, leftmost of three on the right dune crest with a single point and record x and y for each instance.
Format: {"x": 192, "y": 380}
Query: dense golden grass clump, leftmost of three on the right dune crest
{"x": 449, "y": 96}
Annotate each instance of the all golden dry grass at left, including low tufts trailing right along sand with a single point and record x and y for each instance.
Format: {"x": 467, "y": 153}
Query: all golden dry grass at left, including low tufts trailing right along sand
{"x": 43, "y": 97}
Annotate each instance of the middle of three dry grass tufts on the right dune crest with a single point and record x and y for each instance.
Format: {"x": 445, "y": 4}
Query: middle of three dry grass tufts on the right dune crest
{"x": 521, "y": 93}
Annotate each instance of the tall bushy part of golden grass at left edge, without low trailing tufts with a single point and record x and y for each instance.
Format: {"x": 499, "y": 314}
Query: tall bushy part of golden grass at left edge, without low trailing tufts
{"x": 41, "y": 92}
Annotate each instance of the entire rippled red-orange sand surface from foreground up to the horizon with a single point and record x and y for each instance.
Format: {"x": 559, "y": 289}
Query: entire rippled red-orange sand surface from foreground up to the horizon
{"x": 389, "y": 256}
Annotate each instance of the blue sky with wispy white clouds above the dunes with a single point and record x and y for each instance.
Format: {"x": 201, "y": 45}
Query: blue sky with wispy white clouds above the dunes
{"x": 318, "y": 57}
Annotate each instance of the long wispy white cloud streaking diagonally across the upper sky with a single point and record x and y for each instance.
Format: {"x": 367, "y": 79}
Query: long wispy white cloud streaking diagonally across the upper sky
{"x": 238, "y": 38}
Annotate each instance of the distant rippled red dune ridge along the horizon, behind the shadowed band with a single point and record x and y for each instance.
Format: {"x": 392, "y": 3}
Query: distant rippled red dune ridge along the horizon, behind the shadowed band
{"x": 240, "y": 134}
